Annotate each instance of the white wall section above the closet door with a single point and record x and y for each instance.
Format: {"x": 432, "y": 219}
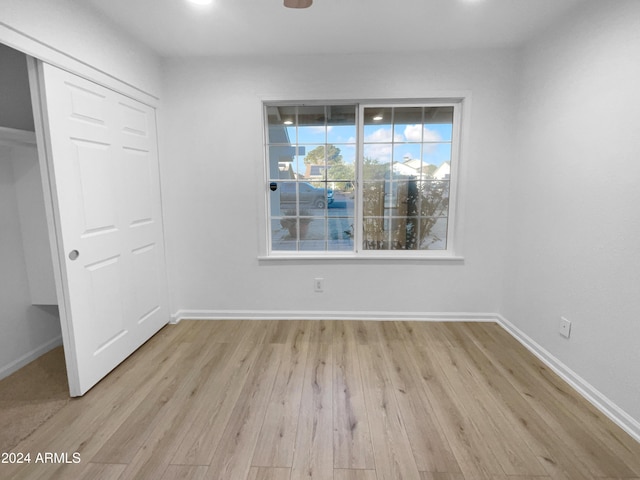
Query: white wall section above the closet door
{"x": 46, "y": 28}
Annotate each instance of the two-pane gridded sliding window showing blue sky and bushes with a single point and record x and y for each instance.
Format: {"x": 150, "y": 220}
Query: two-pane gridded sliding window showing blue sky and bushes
{"x": 365, "y": 179}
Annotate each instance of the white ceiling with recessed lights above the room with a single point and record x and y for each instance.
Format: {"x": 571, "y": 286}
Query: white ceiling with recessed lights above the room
{"x": 259, "y": 27}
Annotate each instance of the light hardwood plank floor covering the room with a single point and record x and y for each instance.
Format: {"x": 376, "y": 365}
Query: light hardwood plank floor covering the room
{"x": 342, "y": 400}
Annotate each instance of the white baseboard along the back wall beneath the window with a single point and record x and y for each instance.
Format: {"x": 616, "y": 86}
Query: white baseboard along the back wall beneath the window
{"x": 330, "y": 315}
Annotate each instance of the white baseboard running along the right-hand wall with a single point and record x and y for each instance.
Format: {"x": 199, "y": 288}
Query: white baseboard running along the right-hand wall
{"x": 584, "y": 388}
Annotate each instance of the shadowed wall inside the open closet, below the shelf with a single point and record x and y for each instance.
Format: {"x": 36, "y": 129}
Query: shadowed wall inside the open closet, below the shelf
{"x": 27, "y": 331}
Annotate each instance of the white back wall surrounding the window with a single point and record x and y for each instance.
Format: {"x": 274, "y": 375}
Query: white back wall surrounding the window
{"x": 212, "y": 160}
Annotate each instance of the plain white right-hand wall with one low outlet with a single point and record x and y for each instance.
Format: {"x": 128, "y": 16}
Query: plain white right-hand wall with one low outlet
{"x": 574, "y": 226}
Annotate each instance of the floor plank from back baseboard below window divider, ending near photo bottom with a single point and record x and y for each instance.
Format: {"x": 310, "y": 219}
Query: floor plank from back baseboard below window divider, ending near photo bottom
{"x": 351, "y": 435}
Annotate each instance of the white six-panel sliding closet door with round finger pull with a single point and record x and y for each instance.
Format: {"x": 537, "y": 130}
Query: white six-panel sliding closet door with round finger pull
{"x": 103, "y": 169}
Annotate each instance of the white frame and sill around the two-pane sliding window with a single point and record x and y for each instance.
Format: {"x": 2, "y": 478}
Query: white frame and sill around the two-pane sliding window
{"x": 452, "y": 252}
